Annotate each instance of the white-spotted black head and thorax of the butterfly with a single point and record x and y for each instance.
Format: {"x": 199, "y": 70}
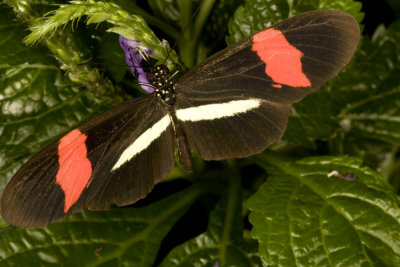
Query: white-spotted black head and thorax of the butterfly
{"x": 164, "y": 87}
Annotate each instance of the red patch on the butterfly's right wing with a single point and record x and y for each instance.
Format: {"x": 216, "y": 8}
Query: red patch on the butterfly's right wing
{"x": 282, "y": 60}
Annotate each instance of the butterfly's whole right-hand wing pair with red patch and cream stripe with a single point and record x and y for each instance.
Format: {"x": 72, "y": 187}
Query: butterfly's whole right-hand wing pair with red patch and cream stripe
{"x": 237, "y": 102}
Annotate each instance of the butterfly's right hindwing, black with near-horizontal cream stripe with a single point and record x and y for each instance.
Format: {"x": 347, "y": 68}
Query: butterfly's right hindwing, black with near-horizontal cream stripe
{"x": 233, "y": 128}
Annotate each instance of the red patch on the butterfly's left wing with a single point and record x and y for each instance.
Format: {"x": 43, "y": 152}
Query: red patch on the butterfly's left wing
{"x": 75, "y": 168}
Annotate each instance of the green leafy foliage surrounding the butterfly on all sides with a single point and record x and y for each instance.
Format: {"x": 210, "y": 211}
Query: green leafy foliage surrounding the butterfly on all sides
{"x": 278, "y": 208}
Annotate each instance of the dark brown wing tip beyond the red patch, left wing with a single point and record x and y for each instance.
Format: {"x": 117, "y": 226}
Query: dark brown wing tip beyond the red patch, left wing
{"x": 31, "y": 198}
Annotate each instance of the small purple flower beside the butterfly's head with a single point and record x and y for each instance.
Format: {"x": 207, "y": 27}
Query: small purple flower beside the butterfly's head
{"x": 134, "y": 60}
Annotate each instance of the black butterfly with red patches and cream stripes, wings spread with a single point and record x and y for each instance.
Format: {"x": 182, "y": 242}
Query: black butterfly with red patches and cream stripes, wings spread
{"x": 234, "y": 104}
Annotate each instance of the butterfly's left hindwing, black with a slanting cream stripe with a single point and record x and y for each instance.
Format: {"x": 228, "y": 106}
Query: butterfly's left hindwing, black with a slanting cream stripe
{"x": 128, "y": 172}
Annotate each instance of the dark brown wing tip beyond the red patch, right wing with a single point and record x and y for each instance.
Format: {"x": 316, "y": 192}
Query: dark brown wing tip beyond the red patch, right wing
{"x": 327, "y": 39}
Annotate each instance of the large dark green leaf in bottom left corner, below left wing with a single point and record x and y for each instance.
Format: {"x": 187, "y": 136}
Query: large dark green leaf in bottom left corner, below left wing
{"x": 119, "y": 237}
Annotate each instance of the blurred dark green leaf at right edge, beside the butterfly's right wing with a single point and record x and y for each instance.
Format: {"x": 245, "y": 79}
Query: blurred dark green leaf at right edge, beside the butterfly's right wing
{"x": 375, "y": 112}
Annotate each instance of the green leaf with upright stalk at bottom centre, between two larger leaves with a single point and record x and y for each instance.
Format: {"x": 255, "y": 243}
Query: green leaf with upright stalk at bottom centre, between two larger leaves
{"x": 223, "y": 242}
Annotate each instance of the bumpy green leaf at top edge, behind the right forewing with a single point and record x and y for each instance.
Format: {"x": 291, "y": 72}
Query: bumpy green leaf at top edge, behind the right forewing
{"x": 256, "y": 15}
